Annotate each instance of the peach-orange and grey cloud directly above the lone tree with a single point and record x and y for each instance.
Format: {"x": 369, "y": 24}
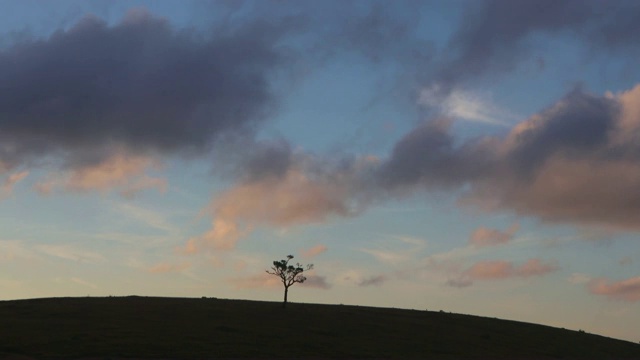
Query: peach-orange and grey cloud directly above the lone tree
{"x": 309, "y": 191}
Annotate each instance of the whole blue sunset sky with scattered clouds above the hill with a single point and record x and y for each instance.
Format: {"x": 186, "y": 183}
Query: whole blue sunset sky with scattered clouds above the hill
{"x": 477, "y": 157}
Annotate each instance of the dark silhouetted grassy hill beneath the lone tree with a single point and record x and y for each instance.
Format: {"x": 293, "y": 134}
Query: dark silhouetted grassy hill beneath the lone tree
{"x": 149, "y": 327}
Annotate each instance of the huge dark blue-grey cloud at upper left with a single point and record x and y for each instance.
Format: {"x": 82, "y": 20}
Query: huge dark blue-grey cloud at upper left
{"x": 139, "y": 84}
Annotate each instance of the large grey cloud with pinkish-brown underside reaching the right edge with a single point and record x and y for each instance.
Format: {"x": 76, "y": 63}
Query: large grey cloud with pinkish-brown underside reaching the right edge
{"x": 575, "y": 162}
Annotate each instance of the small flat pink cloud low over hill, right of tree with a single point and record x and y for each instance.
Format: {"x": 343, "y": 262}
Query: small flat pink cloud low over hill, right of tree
{"x": 501, "y": 270}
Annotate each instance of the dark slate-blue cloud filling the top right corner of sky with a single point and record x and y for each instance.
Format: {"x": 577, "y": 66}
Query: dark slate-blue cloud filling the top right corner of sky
{"x": 495, "y": 35}
